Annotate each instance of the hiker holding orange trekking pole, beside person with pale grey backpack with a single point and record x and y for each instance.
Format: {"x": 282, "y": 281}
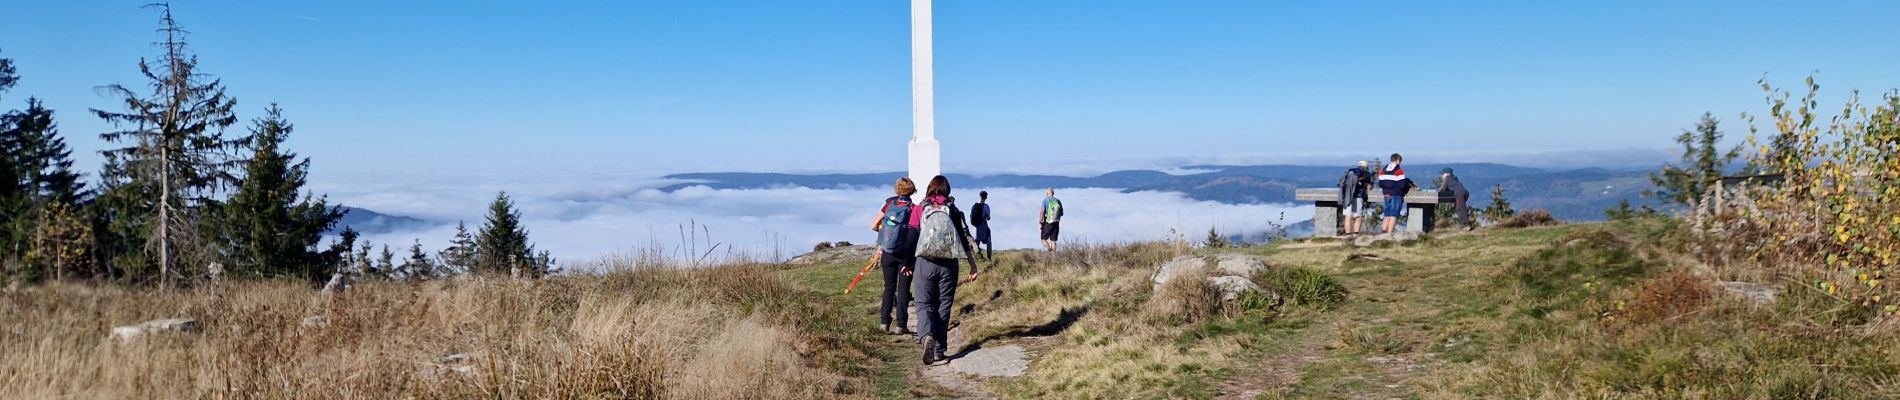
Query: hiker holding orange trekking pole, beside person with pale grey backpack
{"x": 898, "y": 238}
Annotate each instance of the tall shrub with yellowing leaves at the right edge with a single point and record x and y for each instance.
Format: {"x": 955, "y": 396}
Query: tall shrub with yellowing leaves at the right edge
{"x": 1836, "y": 209}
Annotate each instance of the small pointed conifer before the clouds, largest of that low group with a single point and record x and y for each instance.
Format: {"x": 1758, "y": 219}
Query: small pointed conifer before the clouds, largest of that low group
{"x": 503, "y": 244}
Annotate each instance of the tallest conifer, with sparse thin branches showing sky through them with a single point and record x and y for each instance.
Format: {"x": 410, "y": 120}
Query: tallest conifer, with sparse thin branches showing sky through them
{"x": 176, "y": 158}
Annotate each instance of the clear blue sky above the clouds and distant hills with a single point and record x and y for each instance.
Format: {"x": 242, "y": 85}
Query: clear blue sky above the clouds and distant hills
{"x": 824, "y": 86}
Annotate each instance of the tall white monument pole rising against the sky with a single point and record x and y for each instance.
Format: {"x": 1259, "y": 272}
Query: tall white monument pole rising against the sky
{"x": 926, "y": 156}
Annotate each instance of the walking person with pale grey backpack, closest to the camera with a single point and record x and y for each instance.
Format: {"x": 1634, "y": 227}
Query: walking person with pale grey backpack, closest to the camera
{"x": 941, "y": 242}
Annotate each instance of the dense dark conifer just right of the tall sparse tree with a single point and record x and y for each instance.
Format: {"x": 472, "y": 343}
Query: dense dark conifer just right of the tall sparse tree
{"x": 271, "y": 227}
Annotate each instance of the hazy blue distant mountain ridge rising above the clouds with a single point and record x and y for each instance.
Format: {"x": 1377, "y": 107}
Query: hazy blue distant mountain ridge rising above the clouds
{"x": 1578, "y": 194}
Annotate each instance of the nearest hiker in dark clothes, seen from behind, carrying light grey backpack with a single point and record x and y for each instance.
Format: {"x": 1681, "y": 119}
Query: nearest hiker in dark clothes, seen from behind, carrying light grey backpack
{"x": 938, "y": 278}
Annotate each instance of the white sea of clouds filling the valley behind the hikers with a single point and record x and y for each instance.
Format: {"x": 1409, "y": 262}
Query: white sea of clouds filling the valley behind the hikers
{"x": 584, "y": 217}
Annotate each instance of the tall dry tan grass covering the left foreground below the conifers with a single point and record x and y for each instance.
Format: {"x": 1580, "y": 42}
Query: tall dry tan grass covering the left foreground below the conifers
{"x": 727, "y": 333}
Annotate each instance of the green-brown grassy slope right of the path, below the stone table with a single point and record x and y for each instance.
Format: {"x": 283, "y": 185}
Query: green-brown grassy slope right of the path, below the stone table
{"x": 1525, "y": 314}
